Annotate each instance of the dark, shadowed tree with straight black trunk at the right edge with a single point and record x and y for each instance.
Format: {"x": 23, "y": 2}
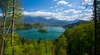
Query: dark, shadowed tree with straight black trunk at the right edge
{"x": 96, "y": 18}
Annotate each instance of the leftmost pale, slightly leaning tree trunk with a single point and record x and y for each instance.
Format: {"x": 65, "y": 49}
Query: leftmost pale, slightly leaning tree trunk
{"x": 5, "y": 14}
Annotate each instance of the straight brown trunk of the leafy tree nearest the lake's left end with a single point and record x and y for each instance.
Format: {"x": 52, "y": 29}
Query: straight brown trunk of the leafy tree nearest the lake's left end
{"x": 13, "y": 18}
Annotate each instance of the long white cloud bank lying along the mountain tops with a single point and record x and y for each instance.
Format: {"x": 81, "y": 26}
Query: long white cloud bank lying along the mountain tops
{"x": 59, "y": 15}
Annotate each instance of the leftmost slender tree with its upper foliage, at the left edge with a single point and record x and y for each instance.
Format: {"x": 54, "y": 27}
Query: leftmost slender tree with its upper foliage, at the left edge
{"x": 4, "y": 5}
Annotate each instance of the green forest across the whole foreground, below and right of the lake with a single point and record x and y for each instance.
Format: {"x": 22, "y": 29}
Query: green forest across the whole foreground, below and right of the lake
{"x": 76, "y": 41}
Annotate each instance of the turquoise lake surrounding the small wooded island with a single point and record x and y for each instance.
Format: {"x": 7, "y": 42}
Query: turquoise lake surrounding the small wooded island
{"x": 54, "y": 32}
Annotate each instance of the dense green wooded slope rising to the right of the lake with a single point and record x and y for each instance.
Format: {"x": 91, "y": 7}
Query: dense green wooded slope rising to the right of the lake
{"x": 78, "y": 40}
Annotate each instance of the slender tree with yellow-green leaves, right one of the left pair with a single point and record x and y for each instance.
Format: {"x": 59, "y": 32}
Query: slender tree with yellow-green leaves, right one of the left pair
{"x": 15, "y": 16}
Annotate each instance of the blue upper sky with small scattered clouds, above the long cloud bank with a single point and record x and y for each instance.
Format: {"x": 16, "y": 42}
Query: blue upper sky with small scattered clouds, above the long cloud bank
{"x": 51, "y": 5}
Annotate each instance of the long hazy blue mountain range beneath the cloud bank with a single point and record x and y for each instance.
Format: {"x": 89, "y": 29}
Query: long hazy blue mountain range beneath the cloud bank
{"x": 31, "y": 20}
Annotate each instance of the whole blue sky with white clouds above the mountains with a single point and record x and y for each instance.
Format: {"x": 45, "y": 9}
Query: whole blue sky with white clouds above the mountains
{"x": 67, "y": 10}
